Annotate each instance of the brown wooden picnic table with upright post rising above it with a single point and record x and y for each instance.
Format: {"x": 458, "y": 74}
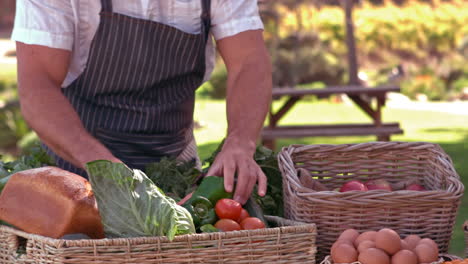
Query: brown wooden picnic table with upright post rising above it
{"x": 361, "y": 95}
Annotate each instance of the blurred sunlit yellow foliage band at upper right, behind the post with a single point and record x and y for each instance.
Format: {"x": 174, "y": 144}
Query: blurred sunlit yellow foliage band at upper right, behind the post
{"x": 414, "y": 27}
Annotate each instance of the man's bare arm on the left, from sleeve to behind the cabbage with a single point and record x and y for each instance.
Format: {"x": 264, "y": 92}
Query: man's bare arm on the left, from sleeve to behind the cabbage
{"x": 41, "y": 71}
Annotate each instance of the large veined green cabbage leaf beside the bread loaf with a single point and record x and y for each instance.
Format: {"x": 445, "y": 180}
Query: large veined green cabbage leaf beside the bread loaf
{"x": 131, "y": 205}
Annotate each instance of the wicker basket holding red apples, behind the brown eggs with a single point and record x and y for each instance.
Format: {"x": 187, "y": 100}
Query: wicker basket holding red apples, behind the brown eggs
{"x": 428, "y": 214}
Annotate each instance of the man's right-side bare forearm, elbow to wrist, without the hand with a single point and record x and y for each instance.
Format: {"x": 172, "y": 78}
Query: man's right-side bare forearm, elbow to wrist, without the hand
{"x": 248, "y": 99}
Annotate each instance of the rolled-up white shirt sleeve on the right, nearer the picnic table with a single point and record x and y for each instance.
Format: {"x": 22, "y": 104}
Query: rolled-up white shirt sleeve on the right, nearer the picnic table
{"x": 231, "y": 17}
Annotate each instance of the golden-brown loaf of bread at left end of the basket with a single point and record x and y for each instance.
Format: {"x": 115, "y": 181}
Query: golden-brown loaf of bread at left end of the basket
{"x": 51, "y": 202}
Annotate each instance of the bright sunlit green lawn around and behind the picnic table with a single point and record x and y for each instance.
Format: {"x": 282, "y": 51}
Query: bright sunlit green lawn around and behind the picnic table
{"x": 448, "y": 130}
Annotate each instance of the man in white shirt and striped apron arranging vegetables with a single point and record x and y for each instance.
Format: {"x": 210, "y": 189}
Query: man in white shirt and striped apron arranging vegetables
{"x": 115, "y": 80}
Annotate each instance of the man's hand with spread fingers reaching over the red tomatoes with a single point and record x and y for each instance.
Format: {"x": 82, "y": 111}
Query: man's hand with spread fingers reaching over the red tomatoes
{"x": 237, "y": 159}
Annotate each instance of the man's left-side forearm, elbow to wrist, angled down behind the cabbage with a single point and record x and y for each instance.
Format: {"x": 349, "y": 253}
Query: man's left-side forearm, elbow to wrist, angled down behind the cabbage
{"x": 55, "y": 121}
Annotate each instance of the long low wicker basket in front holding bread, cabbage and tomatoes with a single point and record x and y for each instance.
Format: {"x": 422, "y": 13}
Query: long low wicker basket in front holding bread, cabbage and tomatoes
{"x": 291, "y": 242}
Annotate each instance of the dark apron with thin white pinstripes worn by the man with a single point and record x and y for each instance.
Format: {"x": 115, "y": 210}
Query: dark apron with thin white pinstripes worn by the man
{"x": 136, "y": 94}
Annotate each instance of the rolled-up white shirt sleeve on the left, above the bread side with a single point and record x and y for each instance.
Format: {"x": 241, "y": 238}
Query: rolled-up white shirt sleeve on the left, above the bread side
{"x": 44, "y": 22}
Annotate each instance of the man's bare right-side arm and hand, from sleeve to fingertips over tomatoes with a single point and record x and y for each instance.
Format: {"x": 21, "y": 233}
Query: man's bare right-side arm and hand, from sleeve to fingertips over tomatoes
{"x": 248, "y": 99}
